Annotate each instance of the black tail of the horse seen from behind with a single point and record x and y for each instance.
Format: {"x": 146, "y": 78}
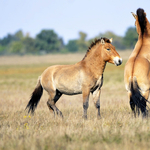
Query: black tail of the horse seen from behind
{"x": 136, "y": 96}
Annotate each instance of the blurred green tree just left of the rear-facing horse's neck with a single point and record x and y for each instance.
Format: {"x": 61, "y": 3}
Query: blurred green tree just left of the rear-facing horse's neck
{"x": 130, "y": 37}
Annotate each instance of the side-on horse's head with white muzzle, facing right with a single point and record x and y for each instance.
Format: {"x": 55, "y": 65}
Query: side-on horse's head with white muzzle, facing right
{"x": 109, "y": 52}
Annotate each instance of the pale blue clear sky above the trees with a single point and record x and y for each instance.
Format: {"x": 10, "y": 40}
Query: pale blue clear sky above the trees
{"x": 68, "y": 17}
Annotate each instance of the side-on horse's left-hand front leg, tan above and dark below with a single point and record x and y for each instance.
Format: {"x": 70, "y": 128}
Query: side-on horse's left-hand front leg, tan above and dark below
{"x": 85, "y": 94}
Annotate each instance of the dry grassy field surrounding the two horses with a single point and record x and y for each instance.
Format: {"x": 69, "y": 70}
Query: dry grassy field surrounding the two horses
{"x": 117, "y": 129}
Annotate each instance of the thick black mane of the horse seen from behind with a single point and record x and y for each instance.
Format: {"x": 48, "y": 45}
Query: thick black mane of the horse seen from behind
{"x": 142, "y": 20}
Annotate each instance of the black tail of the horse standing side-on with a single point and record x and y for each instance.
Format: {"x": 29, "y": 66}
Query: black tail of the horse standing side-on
{"x": 35, "y": 97}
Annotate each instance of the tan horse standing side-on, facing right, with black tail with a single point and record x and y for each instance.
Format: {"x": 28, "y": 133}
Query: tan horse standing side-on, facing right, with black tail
{"x": 83, "y": 77}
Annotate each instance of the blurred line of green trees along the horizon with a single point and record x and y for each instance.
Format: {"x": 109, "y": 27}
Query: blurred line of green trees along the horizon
{"x": 48, "y": 41}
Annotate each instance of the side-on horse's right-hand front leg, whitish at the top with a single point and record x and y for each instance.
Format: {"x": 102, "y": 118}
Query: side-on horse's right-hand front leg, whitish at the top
{"x": 96, "y": 99}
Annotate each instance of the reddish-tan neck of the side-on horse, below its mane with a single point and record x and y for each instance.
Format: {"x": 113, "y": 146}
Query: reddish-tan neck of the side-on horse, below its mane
{"x": 95, "y": 63}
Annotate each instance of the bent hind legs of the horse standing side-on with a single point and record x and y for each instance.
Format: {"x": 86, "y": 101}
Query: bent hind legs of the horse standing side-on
{"x": 53, "y": 98}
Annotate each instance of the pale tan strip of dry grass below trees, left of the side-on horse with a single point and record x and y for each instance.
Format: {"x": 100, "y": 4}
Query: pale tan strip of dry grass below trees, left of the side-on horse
{"x": 52, "y": 59}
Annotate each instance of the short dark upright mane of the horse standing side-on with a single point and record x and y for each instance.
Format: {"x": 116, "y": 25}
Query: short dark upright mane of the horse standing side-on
{"x": 94, "y": 43}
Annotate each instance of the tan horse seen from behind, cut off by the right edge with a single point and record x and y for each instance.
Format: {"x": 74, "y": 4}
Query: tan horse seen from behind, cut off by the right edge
{"x": 137, "y": 68}
